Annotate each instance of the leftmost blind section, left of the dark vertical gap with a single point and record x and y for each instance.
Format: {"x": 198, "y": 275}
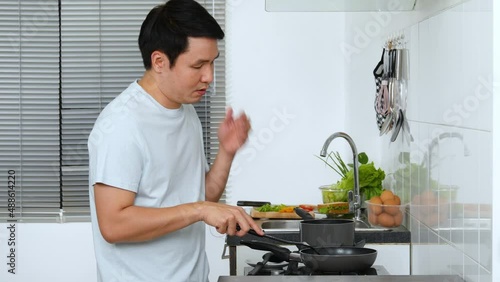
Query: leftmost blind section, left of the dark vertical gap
{"x": 29, "y": 109}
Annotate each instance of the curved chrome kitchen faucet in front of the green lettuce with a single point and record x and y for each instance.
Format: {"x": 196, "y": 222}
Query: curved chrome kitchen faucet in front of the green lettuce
{"x": 354, "y": 197}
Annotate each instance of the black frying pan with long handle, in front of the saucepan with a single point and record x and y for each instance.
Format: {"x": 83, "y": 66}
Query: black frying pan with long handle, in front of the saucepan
{"x": 329, "y": 259}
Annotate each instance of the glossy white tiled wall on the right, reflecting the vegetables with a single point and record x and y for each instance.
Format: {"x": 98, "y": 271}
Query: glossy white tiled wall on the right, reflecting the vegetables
{"x": 445, "y": 174}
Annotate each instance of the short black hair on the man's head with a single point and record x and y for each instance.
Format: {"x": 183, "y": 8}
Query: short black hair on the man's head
{"x": 168, "y": 26}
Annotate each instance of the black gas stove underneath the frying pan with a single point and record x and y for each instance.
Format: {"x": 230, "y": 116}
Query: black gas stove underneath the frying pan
{"x": 298, "y": 269}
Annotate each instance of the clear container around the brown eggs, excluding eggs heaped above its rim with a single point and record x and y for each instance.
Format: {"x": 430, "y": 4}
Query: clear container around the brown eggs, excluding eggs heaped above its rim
{"x": 385, "y": 216}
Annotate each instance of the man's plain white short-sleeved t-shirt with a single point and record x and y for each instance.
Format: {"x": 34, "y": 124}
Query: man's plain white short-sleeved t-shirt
{"x": 138, "y": 145}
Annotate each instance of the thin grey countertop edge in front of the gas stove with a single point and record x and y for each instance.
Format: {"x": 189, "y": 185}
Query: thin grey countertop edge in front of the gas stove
{"x": 380, "y": 278}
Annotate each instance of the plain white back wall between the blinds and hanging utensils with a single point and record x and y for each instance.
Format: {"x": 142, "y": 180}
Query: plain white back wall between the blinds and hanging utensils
{"x": 284, "y": 63}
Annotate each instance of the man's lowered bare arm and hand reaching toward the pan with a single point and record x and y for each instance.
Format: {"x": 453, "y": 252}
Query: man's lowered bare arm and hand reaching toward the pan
{"x": 121, "y": 221}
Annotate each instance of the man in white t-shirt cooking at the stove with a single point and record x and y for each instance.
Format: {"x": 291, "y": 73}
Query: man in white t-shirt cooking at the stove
{"x": 150, "y": 186}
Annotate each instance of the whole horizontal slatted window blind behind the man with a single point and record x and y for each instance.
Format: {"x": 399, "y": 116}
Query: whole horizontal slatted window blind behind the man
{"x": 51, "y": 99}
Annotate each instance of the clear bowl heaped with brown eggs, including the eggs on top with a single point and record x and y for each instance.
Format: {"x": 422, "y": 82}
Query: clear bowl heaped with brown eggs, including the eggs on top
{"x": 386, "y": 210}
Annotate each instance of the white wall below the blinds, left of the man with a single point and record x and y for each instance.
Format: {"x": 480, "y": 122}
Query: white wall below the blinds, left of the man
{"x": 48, "y": 252}
